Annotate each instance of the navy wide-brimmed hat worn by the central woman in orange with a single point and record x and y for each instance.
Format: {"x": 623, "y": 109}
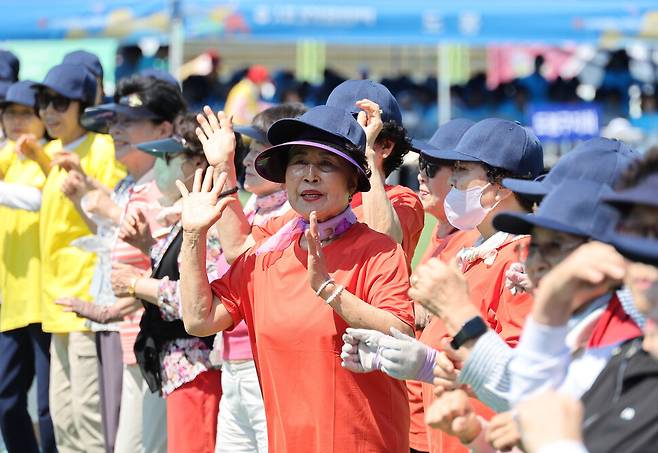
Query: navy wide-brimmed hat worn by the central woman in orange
{"x": 331, "y": 129}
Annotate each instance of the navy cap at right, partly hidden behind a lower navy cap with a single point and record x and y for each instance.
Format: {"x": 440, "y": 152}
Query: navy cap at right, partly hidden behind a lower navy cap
{"x": 598, "y": 159}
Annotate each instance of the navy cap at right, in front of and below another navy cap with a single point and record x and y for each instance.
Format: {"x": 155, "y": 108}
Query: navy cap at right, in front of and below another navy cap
{"x": 574, "y": 207}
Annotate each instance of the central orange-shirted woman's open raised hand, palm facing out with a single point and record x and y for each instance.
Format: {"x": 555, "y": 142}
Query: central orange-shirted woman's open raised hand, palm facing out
{"x": 203, "y": 206}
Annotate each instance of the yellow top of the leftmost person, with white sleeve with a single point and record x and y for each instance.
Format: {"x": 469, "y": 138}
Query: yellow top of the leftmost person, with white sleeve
{"x": 20, "y": 272}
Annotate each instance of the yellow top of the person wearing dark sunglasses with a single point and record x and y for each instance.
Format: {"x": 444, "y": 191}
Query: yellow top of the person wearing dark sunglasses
{"x": 66, "y": 270}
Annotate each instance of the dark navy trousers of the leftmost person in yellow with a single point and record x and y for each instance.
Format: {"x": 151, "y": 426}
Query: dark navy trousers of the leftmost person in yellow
{"x": 24, "y": 353}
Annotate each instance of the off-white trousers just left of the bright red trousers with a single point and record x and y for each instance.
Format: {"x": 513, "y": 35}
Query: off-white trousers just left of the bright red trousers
{"x": 143, "y": 416}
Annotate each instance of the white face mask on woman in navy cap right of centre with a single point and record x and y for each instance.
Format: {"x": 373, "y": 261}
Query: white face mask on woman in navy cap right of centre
{"x": 464, "y": 209}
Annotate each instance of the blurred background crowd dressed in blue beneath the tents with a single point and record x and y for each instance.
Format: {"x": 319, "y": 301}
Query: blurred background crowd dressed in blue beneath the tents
{"x": 613, "y": 85}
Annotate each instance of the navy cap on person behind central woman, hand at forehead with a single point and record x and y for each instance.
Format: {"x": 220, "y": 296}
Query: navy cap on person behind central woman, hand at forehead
{"x": 345, "y": 95}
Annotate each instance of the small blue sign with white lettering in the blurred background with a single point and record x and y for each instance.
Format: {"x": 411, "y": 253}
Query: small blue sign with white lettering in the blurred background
{"x": 565, "y": 121}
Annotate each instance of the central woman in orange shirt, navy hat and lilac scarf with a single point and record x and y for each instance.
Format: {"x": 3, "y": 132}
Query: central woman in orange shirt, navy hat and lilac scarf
{"x": 299, "y": 289}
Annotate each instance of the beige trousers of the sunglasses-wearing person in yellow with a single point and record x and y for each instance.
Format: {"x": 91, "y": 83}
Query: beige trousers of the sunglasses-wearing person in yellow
{"x": 74, "y": 395}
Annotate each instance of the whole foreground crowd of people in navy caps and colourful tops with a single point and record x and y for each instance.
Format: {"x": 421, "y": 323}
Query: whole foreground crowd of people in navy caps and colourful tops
{"x": 156, "y": 311}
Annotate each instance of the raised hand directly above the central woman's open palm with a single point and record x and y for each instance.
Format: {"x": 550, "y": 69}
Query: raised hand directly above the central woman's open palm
{"x": 217, "y": 137}
